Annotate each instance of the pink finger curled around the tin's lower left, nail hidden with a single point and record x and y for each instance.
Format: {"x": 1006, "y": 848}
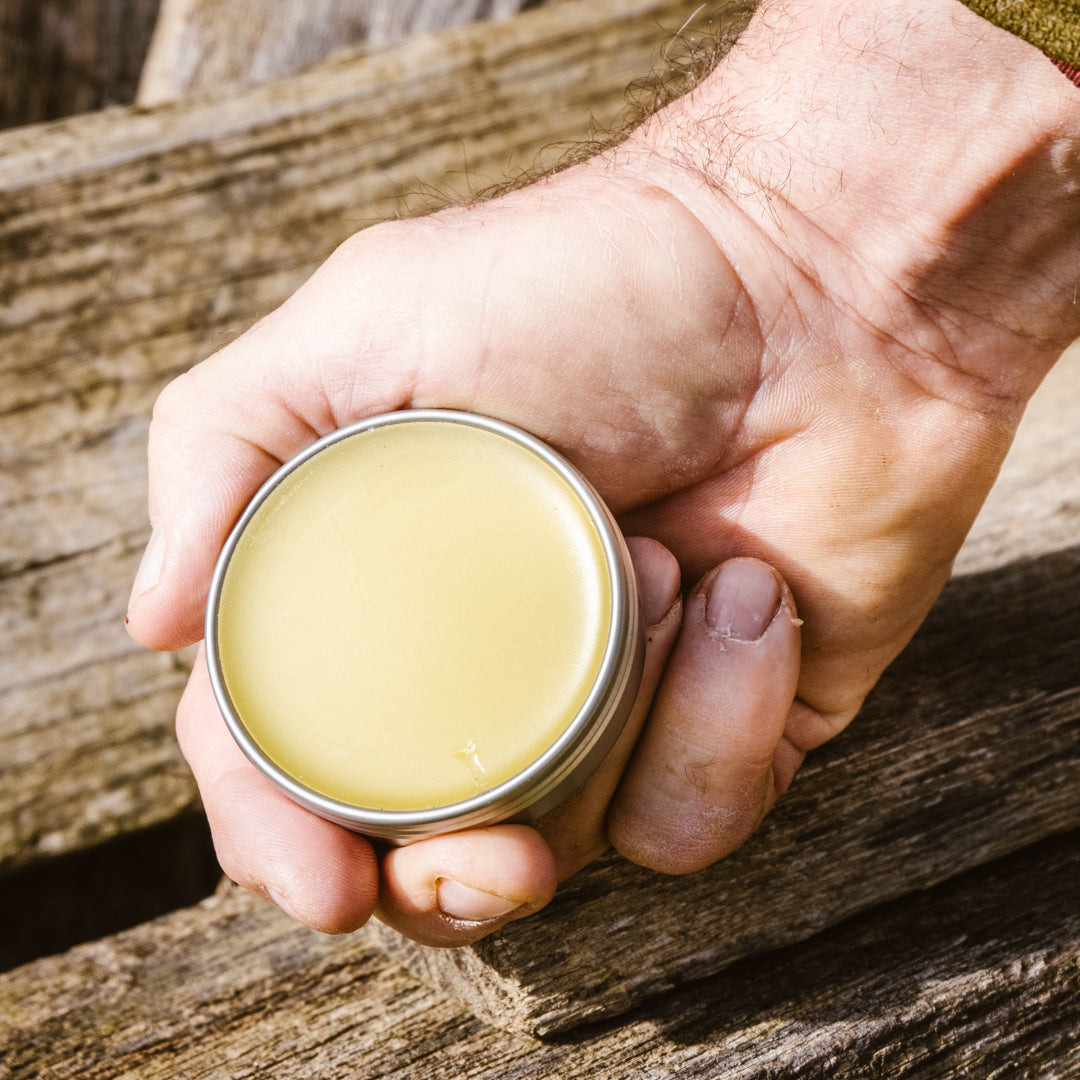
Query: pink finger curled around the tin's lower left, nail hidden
{"x": 319, "y": 873}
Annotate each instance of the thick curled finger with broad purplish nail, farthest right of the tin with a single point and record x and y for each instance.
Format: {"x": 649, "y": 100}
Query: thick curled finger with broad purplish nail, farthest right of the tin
{"x": 703, "y": 774}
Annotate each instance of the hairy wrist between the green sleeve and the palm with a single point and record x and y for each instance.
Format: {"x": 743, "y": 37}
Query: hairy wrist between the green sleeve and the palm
{"x": 928, "y": 163}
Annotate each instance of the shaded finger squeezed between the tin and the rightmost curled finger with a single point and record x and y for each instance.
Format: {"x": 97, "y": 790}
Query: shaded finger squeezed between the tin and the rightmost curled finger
{"x": 576, "y": 831}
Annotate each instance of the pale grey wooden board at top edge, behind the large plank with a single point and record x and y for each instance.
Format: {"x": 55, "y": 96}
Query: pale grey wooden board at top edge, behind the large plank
{"x": 207, "y": 47}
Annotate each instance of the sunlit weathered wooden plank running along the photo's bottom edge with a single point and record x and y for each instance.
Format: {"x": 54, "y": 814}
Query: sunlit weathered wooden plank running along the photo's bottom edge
{"x": 977, "y": 978}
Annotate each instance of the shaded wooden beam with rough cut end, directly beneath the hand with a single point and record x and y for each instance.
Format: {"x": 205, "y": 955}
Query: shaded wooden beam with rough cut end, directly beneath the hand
{"x": 968, "y": 749}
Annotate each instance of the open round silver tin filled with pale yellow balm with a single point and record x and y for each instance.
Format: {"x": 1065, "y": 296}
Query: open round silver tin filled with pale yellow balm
{"x": 426, "y": 622}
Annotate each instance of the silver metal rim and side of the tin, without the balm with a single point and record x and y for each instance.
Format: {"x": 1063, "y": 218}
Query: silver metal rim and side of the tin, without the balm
{"x": 568, "y": 762}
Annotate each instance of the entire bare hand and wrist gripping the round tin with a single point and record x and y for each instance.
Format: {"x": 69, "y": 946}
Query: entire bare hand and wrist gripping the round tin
{"x": 788, "y": 329}
